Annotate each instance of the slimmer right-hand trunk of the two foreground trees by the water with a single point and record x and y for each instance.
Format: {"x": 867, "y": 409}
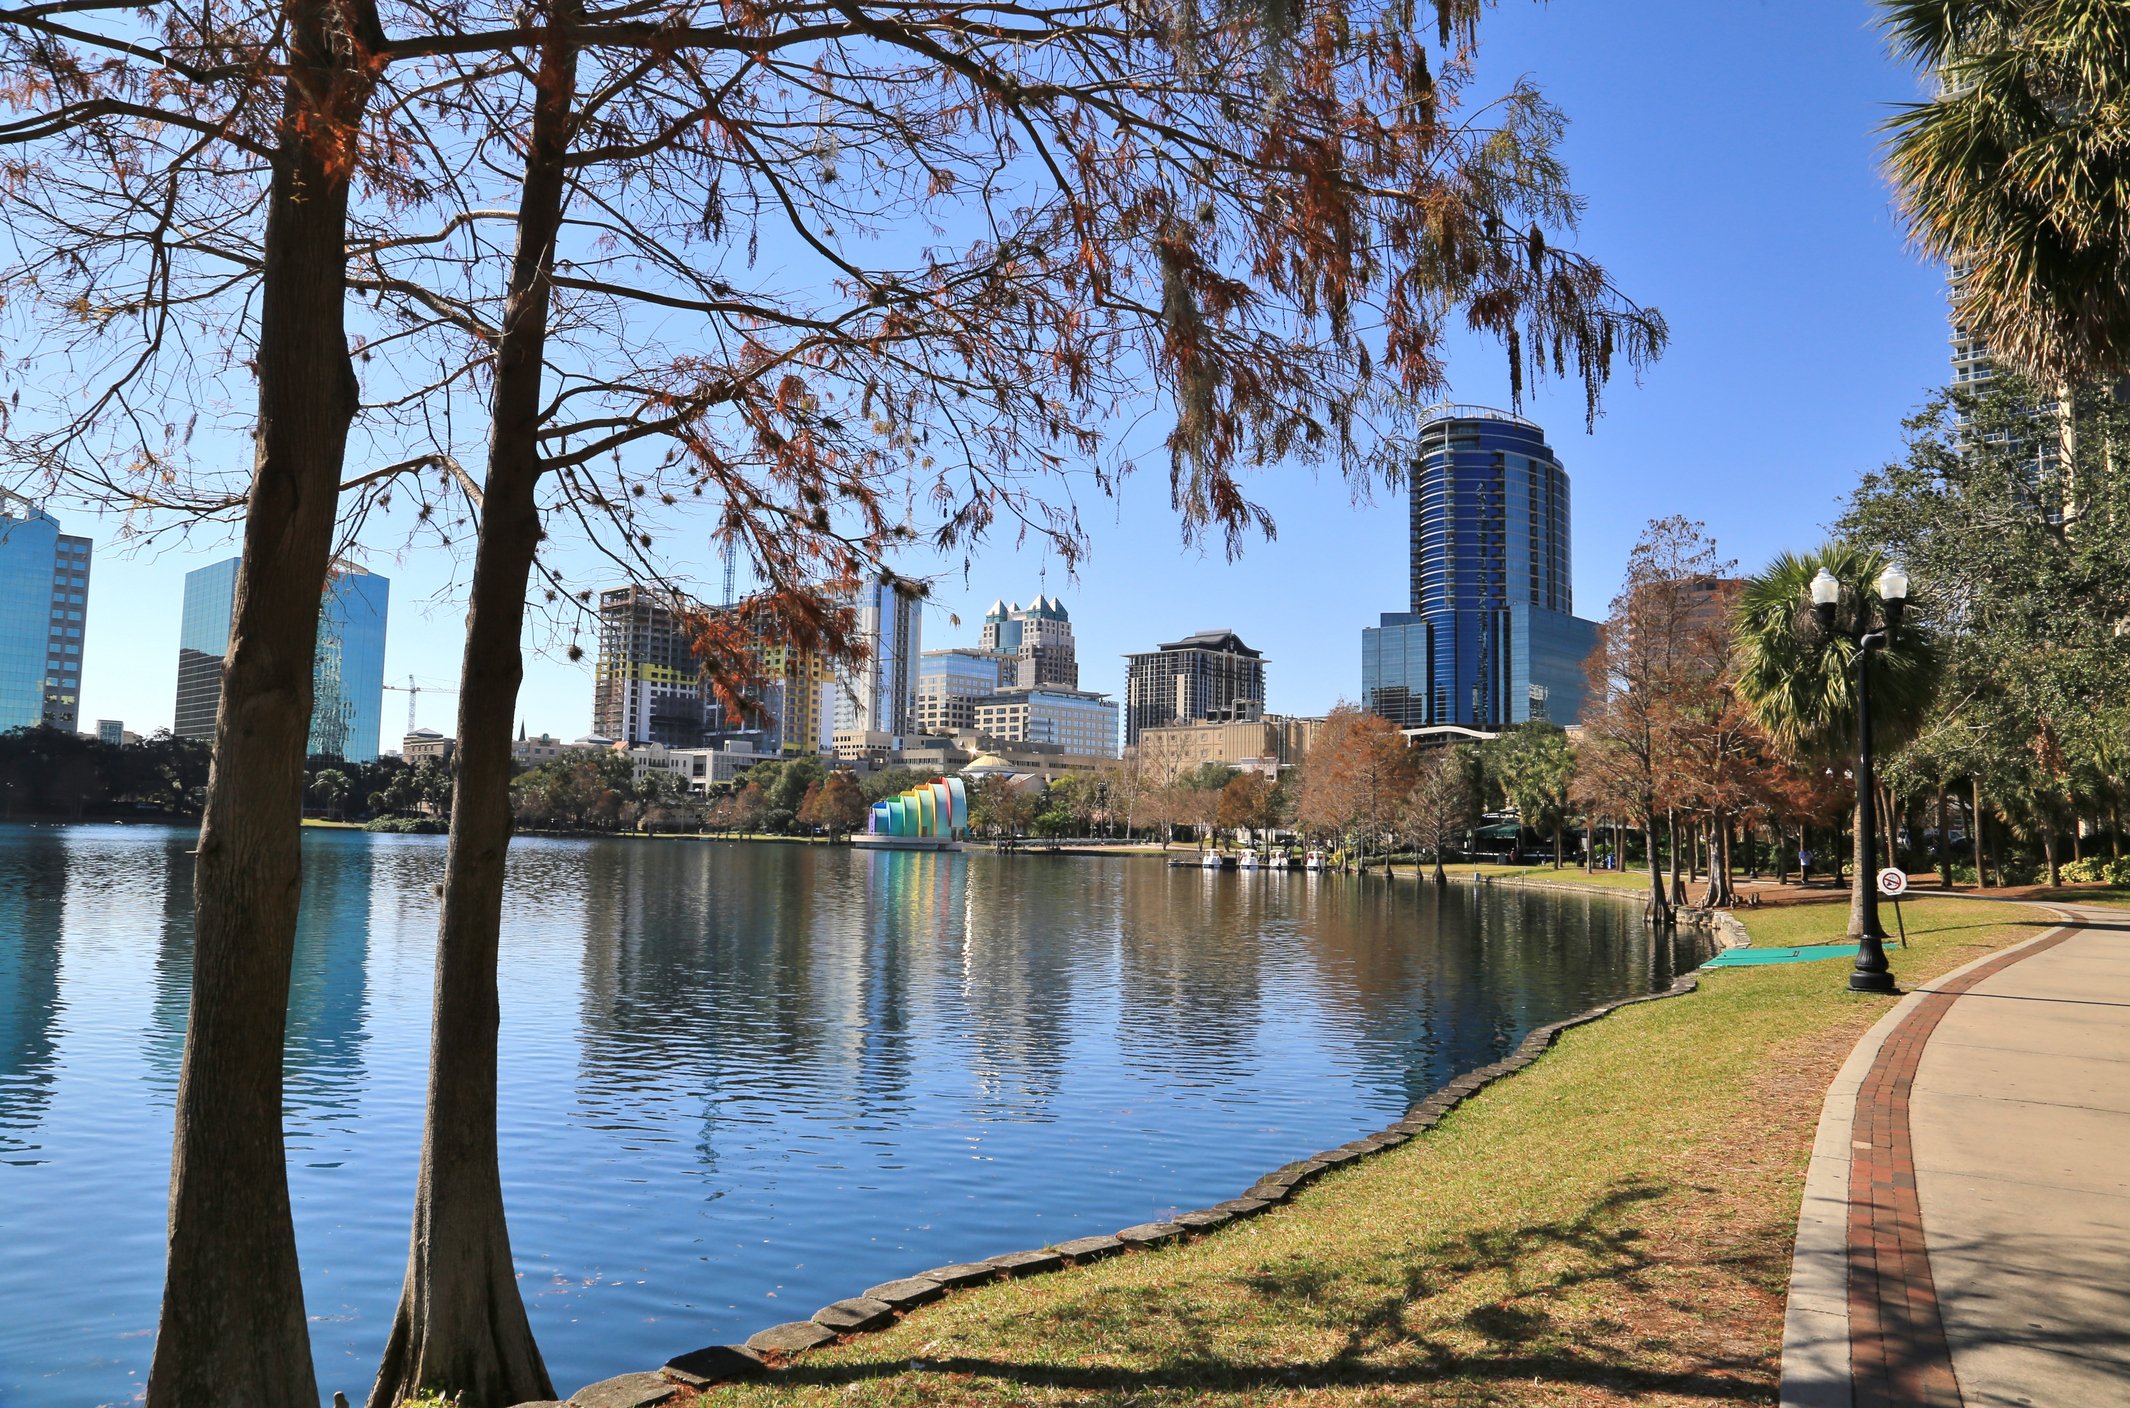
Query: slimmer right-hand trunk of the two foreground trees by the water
{"x": 461, "y": 1324}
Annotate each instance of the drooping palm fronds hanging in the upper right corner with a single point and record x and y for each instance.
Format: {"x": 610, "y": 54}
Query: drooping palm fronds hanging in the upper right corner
{"x": 2018, "y": 171}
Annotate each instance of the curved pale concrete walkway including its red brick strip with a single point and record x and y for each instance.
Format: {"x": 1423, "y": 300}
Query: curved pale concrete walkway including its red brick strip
{"x": 1967, "y": 1217}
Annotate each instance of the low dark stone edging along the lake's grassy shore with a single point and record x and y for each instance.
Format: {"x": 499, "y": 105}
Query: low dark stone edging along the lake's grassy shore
{"x": 887, "y": 1303}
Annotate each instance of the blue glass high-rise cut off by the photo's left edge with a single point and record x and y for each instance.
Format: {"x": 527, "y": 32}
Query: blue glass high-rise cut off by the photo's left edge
{"x": 44, "y": 619}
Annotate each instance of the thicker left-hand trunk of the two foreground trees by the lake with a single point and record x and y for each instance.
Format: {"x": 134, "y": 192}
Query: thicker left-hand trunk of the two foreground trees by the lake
{"x": 233, "y": 1332}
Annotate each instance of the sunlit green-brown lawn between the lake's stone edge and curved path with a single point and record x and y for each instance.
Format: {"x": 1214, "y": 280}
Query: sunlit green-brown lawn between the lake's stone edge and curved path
{"x": 1607, "y": 1228}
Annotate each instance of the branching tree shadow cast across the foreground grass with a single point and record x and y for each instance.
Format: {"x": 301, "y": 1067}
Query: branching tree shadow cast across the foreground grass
{"x": 1377, "y": 1305}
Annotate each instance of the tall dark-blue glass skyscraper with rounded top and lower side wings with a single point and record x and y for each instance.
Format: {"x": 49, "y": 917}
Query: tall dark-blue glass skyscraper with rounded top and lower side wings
{"x": 1492, "y": 636}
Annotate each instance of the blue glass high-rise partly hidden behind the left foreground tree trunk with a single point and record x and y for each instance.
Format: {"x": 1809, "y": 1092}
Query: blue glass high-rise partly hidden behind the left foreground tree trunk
{"x": 348, "y": 670}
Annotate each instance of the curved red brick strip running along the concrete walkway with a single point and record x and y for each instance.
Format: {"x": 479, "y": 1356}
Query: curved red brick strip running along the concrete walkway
{"x": 1897, "y": 1339}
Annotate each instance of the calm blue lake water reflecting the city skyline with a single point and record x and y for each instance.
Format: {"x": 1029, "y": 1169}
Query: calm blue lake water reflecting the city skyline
{"x": 738, "y": 1081}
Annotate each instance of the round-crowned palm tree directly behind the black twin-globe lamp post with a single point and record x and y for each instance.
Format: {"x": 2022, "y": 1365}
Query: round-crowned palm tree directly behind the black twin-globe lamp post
{"x": 1803, "y": 685}
